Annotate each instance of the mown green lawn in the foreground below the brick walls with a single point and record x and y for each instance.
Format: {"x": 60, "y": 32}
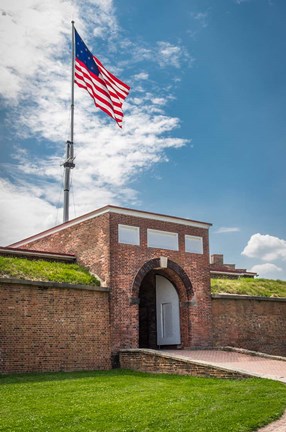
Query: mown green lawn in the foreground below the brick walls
{"x": 128, "y": 401}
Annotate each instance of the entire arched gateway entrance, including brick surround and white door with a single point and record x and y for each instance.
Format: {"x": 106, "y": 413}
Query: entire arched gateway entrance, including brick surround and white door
{"x": 164, "y": 296}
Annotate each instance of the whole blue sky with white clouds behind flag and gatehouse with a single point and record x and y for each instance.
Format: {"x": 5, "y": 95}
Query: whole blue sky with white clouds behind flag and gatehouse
{"x": 204, "y": 132}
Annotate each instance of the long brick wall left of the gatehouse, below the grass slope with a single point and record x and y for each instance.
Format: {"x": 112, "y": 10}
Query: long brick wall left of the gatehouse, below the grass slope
{"x": 52, "y": 328}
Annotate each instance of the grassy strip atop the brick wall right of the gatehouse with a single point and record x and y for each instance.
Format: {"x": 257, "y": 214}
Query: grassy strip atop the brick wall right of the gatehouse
{"x": 249, "y": 286}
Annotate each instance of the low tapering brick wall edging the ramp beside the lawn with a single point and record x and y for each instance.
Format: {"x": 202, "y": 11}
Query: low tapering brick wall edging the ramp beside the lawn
{"x": 148, "y": 361}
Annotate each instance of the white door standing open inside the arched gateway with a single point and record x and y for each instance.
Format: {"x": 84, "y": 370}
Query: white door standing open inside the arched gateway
{"x": 168, "y": 313}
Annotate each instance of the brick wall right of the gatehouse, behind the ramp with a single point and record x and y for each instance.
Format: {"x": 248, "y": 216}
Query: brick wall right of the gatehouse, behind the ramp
{"x": 256, "y": 324}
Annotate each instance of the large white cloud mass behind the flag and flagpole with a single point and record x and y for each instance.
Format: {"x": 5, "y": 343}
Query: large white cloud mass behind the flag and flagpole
{"x": 35, "y": 82}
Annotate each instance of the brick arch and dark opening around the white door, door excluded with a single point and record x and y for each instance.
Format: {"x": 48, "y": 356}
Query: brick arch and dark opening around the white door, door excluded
{"x": 144, "y": 289}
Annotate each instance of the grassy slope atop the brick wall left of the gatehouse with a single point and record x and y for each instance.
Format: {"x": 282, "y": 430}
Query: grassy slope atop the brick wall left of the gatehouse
{"x": 47, "y": 271}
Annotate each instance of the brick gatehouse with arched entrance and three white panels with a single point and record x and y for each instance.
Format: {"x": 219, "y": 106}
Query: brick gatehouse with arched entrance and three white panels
{"x": 156, "y": 267}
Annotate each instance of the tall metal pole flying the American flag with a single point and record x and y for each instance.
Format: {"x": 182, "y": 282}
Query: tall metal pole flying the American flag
{"x": 69, "y": 162}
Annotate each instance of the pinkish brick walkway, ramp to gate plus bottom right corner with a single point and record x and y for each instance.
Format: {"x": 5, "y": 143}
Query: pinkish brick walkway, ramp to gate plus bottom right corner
{"x": 254, "y": 365}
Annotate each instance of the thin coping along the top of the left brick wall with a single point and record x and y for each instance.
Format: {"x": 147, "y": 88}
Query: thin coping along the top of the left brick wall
{"x": 60, "y": 285}
